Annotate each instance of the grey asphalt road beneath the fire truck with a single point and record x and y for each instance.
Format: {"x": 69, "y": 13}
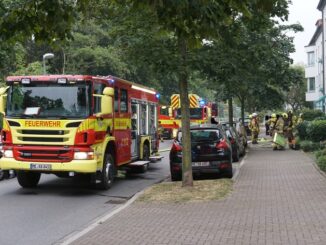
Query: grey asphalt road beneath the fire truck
{"x": 60, "y": 207}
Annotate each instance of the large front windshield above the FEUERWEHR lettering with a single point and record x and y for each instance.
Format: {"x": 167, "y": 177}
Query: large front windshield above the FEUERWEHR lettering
{"x": 48, "y": 100}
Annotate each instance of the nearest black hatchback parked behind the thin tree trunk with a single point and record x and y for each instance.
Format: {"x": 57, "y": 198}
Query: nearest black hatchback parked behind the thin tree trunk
{"x": 210, "y": 149}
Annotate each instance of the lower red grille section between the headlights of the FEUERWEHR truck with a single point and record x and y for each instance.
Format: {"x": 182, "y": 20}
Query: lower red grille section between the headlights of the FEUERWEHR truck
{"x": 39, "y": 154}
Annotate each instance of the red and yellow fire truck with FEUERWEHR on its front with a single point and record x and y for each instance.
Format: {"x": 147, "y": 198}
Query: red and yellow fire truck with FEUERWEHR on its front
{"x": 77, "y": 124}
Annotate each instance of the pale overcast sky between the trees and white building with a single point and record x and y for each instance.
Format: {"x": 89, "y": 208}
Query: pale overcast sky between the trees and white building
{"x": 306, "y": 13}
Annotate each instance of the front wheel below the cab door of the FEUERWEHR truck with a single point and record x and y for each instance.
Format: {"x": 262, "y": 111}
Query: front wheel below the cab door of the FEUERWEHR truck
{"x": 107, "y": 175}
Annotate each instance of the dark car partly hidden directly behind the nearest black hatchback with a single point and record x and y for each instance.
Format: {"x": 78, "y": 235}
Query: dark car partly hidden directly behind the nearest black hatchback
{"x": 237, "y": 143}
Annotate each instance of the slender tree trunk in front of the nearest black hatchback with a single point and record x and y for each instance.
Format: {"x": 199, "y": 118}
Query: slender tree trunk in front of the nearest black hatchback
{"x": 187, "y": 180}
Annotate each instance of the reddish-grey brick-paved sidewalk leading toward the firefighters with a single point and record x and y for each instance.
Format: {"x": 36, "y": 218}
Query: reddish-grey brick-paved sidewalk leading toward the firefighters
{"x": 279, "y": 198}
